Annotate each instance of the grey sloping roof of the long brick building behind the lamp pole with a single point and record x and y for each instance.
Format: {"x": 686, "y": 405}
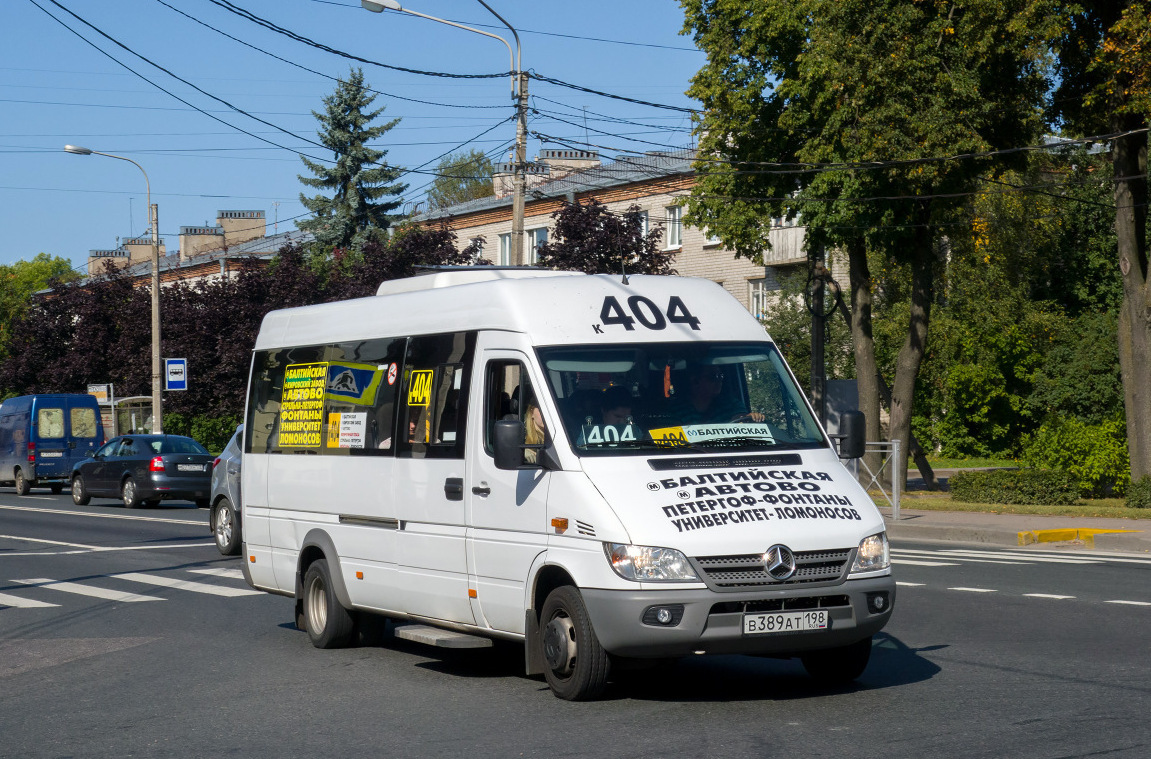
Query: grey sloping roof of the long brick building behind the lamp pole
{"x": 628, "y": 170}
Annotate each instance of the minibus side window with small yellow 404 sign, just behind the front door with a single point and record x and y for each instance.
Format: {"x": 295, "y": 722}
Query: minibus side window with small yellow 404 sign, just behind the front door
{"x": 435, "y": 397}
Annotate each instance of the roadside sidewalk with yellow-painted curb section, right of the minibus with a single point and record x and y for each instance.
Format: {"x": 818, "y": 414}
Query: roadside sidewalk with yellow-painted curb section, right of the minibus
{"x": 1132, "y": 536}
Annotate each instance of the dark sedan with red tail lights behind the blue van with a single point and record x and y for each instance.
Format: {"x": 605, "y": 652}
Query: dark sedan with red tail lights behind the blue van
{"x": 143, "y": 470}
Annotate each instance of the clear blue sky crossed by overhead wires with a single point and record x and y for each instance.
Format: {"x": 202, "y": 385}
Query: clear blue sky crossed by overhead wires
{"x": 57, "y": 89}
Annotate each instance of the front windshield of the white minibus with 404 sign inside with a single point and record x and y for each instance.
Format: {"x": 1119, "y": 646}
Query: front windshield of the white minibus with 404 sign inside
{"x": 675, "y": 397}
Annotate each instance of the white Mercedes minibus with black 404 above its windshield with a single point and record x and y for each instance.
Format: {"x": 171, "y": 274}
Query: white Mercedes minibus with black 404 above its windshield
{"x": 605, "y": 468}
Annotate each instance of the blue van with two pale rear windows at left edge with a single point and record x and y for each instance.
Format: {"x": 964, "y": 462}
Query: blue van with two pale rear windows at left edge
{"x": 43, "y": 436}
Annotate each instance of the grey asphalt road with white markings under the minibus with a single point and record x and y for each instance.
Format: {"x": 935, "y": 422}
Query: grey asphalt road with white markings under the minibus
{"x": 125, "y": 634}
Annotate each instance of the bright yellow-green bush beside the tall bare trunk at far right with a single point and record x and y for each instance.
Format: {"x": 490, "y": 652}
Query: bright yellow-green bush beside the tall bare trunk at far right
{"x": 1095, "y": 454}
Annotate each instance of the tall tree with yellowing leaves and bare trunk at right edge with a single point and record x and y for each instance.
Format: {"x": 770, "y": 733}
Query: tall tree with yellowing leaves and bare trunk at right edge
{"x": 1106, "y": 88}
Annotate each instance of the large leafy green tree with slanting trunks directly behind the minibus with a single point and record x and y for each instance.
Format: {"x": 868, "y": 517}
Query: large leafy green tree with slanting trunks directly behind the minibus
{"x": 837, "y": 111}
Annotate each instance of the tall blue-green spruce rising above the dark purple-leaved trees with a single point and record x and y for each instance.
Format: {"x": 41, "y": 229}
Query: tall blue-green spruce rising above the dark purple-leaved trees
{"x": 365, "y": 189}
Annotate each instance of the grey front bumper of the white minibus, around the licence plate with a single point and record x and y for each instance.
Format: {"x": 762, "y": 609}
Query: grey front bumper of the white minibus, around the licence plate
{"x": 713, "y": 623}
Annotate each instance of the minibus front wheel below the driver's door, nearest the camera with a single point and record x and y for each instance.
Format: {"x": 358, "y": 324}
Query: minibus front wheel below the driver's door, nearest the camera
{"x": 575, "y": 664}
